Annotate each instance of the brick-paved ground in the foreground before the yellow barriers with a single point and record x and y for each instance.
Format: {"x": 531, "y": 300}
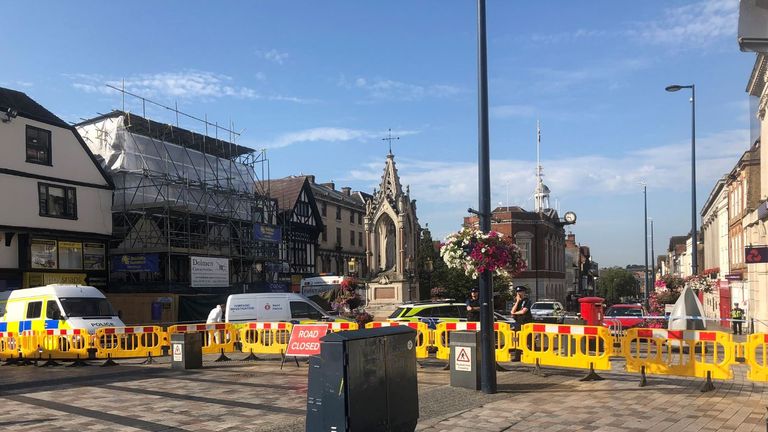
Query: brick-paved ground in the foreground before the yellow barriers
{"x": 259, "y": 396}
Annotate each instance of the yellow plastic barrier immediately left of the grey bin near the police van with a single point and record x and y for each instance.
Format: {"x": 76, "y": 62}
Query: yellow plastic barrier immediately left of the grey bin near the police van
{"x": 125, "y": 342}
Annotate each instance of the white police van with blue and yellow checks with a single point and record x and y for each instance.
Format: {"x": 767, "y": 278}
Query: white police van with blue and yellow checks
{"x": 58, "y": 307}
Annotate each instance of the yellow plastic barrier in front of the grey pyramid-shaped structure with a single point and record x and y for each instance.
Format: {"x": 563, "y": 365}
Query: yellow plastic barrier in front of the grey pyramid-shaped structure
{"x": 702, "y": 354}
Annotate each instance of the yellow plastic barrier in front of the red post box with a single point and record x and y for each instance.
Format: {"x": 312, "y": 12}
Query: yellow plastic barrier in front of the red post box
{"x": 570, "y": 346}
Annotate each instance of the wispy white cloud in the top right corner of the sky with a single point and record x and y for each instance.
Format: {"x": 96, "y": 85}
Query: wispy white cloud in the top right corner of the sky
{"x": 692, "y": 25}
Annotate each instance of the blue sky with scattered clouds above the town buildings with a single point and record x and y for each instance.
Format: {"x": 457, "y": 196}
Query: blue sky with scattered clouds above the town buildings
{"x": 319, "y": 83}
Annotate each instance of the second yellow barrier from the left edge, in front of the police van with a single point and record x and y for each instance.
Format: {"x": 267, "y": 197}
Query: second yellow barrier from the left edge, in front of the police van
{"x": 55, "y": 344}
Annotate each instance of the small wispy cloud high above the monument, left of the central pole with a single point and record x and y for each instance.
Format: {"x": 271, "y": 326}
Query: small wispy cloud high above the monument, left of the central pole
{"x": 387, "y": 89}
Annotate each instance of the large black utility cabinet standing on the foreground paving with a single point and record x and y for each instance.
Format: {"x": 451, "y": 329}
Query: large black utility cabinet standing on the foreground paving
{"x": 364, "y": 380}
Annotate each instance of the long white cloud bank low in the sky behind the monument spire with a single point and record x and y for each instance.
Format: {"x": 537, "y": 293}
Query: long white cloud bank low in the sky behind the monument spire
{"x": 662, "y": 167}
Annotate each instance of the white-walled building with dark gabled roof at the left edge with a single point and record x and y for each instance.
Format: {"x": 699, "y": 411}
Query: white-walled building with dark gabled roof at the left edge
{"x": 56, "y": 220}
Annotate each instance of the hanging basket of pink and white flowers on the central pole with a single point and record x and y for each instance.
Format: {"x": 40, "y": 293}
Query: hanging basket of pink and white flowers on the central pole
{"x": 475, "y": 252}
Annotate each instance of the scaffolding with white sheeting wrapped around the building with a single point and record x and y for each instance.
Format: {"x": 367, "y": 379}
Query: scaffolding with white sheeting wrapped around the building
{"x": 180, "y": 193}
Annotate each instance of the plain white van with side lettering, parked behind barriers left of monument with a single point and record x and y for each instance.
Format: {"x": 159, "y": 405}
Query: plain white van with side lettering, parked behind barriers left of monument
{"x": 274, "y": 307}
